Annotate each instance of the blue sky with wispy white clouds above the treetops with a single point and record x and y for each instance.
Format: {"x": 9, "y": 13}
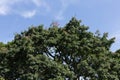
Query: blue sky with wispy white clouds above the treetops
{"x": 18, "y": 15}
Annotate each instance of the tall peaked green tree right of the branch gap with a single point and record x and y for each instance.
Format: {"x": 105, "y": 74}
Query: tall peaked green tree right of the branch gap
{"x": 85, "y": 53}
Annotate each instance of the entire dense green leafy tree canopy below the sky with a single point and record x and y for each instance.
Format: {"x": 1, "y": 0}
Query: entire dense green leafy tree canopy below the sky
{"x": 58, "y": 53}
